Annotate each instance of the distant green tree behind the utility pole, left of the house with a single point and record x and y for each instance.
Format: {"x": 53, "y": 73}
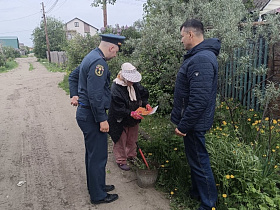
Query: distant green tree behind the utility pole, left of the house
{"x": 56, "y": 34}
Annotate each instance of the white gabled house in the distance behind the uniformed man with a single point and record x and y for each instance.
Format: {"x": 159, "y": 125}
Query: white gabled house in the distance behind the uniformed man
{"x": 78, "y": 26}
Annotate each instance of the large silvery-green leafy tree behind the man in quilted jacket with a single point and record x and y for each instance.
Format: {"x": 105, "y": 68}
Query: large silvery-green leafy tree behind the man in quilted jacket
{"x": 159, "y": 52}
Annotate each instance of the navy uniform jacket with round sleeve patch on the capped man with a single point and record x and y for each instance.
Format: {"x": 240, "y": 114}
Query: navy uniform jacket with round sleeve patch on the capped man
{"x": 93, "y": 84}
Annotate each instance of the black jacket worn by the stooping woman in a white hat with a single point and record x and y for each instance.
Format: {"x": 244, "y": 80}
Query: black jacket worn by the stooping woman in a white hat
{"x": 121, "y": 107}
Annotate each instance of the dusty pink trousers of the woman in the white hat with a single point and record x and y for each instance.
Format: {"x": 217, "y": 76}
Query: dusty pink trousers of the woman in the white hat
{"x": 126, "y": 146}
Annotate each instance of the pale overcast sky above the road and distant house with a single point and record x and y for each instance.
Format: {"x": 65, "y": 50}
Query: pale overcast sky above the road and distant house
{"x": 20, "y": 17}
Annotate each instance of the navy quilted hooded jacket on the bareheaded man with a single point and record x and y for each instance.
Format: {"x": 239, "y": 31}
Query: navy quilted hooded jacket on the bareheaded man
{"x": 196, "y": 88}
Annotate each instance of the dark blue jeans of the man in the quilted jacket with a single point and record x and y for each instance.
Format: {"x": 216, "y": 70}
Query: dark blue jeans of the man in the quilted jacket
{"x": 203, "y": 183}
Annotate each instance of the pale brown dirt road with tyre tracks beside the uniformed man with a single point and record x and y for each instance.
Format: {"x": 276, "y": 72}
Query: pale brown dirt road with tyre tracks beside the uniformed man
{"x": 41, "y": 145}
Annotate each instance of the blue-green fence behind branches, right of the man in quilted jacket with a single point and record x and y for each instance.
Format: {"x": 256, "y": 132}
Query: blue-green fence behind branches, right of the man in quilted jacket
{"x": 239, "y": 76}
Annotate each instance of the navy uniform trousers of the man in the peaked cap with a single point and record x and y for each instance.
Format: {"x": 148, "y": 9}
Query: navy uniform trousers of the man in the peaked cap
{"x": 96, "y": 153}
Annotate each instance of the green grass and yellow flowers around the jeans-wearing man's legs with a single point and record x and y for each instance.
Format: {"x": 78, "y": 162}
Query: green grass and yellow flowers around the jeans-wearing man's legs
{"x": 246, "y": 170}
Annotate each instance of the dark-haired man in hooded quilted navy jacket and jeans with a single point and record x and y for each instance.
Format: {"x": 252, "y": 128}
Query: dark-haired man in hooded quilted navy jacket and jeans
{"x": 194, "y": 107}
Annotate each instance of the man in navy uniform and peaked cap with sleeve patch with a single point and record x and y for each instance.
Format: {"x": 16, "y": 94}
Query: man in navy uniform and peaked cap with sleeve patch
{"x": 94, "y": 98}
